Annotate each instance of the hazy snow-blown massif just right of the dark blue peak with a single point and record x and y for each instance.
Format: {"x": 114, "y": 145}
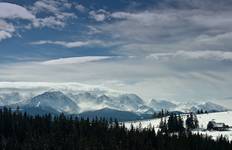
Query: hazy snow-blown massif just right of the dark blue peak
{"x": 125, "y": 102}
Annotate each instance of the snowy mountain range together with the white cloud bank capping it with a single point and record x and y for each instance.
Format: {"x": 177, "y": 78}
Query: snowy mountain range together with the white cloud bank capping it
{"x": 88, "y": 101}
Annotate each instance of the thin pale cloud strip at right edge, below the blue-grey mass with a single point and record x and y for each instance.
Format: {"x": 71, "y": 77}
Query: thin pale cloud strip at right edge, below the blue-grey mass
{"x": 204, "y": 55}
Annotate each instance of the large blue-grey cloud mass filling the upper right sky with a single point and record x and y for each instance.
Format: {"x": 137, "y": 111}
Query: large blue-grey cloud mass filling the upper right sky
{"x": 166, "y": 28}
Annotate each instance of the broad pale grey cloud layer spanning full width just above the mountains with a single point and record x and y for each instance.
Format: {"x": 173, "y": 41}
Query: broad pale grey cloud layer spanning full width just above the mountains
{"x": 143, "y": 77}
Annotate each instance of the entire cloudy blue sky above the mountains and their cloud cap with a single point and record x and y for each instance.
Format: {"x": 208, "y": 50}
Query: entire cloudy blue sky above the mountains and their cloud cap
{"x": 164, "y": 49}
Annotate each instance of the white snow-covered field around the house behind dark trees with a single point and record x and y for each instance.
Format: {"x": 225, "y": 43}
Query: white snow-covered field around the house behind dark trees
{"x": 223, "y": 117}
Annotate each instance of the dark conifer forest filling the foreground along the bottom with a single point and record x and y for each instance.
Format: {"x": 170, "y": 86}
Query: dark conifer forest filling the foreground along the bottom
{"x": 19, "y": 131}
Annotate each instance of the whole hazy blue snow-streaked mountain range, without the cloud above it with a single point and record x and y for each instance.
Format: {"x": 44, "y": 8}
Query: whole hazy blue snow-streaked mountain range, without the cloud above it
{"x": 78, "y": 102}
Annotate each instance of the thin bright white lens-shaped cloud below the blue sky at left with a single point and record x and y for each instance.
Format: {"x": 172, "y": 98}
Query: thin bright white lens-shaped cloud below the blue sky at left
{"x": 75, "y": 60}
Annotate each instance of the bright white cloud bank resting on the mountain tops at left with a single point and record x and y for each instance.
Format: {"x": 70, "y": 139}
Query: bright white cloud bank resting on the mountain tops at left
{"x": 29, "y": 89}
